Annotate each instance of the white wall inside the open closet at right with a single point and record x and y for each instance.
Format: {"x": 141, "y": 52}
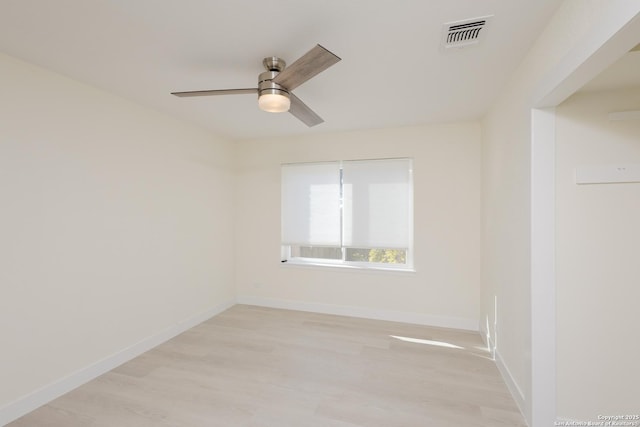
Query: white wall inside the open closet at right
{"x": 597, "y": 259}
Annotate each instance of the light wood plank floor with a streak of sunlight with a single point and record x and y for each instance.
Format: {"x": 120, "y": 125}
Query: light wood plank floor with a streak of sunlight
{"x": 260, "y": 367}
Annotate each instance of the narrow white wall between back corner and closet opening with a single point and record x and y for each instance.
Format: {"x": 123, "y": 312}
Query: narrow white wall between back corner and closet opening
{"x": 506, "y": 315}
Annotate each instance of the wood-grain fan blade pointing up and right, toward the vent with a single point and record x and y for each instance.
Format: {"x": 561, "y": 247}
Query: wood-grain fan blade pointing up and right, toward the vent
{"x": 308, "y": 65}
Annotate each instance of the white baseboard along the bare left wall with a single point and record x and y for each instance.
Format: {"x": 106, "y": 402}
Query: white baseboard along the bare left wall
{"x": 28, "y": 403}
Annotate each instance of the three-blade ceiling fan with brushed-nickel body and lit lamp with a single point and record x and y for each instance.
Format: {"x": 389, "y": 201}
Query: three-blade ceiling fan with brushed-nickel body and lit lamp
{"x": 276, "y": 84}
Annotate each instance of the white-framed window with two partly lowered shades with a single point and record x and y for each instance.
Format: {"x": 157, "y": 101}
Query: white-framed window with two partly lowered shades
{"x": 355, "y": 213}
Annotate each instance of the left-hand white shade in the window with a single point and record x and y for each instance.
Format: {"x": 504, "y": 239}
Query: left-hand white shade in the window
{"x": 311, "y": 204}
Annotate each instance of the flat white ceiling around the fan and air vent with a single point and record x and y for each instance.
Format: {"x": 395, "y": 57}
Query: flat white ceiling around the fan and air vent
{"x": 392, "y": 72}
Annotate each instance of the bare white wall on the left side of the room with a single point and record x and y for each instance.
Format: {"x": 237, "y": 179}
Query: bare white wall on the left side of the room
{"x": 115, "y": 224}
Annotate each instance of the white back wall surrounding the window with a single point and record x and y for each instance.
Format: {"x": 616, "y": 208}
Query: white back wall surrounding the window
{"x": 444, "y": 290}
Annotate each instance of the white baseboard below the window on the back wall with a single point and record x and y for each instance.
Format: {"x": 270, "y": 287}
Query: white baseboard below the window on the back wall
{"x": 367, "y": 313}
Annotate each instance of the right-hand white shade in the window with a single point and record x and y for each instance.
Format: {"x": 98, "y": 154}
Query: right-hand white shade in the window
{"x": 378, "y": 211}
